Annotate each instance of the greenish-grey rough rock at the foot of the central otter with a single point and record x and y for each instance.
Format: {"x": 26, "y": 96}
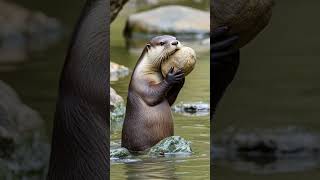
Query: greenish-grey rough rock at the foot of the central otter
{"x": 171, "y": 145}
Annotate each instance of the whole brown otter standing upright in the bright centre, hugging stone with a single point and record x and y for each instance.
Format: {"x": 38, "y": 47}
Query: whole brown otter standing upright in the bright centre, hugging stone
{"x": 148, "y": 117}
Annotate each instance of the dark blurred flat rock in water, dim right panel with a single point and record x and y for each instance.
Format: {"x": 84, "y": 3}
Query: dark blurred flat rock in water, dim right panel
{"x": 277, "y": 143}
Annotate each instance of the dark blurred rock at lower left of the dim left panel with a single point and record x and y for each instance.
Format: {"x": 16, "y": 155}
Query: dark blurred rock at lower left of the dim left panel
{"x": 24, "y": 154}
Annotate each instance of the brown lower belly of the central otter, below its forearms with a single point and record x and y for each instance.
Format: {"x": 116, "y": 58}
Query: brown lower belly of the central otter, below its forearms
{"x": 144, "y": 125}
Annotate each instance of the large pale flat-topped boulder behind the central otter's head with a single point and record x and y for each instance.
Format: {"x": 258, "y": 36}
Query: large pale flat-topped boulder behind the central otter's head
{"x": 176, "y": 20}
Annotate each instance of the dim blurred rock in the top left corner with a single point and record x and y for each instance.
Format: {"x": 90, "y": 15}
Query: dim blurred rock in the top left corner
{"x": 23, "y": 31}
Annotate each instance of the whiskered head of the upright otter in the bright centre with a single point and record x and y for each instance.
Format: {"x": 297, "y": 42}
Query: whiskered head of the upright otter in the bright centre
{"x": 160, "y": 48}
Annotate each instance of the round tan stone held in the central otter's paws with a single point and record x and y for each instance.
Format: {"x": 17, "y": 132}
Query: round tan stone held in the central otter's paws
{"x": 184, "y": 59}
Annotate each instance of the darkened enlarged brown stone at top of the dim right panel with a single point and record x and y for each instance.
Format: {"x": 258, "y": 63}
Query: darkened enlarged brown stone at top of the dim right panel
{"x": 245, "y": 17}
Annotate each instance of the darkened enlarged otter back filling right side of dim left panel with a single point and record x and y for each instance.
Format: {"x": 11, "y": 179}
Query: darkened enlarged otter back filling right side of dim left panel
{"x": 80, "y": 139}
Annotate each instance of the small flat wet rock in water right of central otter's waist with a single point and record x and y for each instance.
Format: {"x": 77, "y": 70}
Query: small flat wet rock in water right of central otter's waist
{"x": 192, "y": 108}
